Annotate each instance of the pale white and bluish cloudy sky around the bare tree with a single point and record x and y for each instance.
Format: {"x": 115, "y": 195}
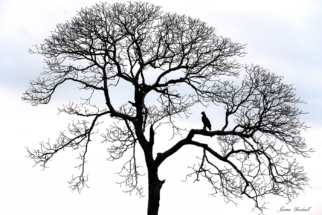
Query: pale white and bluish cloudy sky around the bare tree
{"x": 283, "y": 36}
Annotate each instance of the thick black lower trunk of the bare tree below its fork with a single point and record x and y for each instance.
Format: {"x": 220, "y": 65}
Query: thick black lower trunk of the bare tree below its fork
{"x": 154, "y": 193}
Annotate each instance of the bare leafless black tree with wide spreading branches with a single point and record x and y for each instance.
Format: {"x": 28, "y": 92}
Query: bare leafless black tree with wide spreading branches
{"x": 158, "y": 53}
